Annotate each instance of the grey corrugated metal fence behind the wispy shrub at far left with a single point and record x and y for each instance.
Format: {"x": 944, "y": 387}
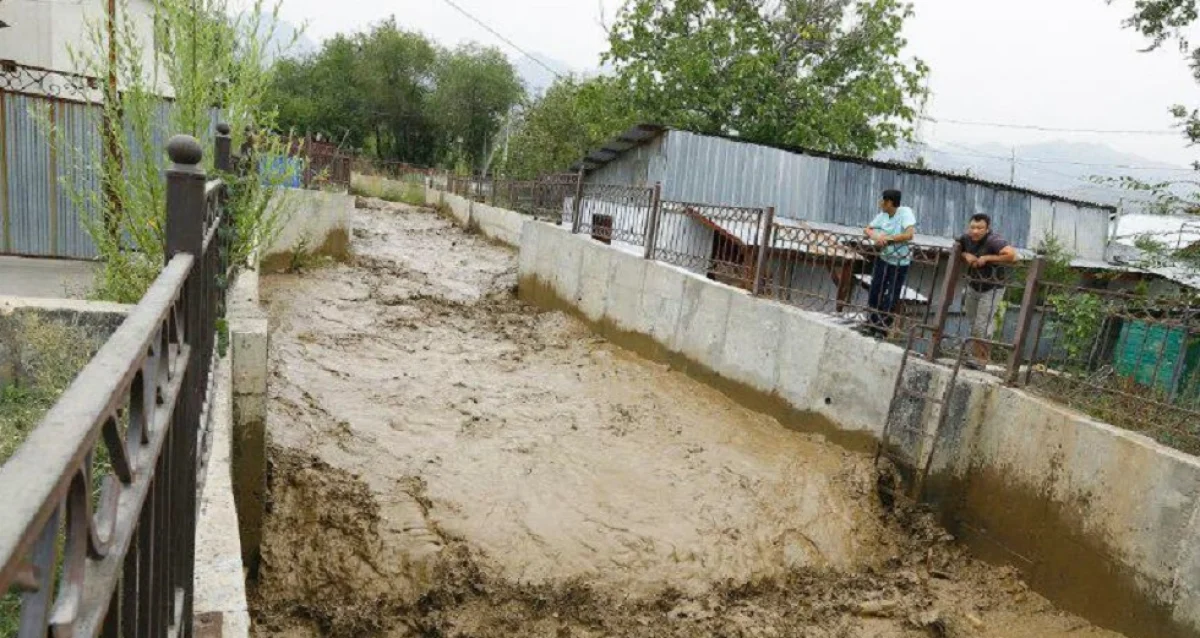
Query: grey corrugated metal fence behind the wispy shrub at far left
{"x": 39, "y": 215}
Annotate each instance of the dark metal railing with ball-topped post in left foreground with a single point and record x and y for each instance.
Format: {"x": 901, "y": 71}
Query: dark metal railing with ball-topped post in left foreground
{"x": 100, "y": 503}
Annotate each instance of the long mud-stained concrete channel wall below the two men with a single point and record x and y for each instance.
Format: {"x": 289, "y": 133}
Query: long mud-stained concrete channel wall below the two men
{"x": 1102, "y": 521}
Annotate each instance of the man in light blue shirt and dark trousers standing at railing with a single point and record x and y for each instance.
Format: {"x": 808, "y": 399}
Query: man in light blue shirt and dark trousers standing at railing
{"x": 891, "y": 232}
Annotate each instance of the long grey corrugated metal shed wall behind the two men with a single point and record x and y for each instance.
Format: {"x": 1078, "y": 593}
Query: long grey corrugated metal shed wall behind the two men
{"x": 718, "y": 171}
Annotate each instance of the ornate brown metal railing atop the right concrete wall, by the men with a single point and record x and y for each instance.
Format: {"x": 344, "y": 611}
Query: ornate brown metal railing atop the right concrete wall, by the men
{"x": 1006, "y": 321}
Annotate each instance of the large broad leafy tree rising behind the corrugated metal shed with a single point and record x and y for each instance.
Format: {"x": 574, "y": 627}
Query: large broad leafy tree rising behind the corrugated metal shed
{"x": 819, "y": 74}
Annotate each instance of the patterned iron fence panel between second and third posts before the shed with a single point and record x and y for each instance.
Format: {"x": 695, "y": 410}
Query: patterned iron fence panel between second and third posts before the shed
{"x": 721, "y": 243}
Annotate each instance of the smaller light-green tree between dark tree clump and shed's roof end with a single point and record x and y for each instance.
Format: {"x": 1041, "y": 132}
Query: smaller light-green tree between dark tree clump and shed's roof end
{"x": 573, "y": 117}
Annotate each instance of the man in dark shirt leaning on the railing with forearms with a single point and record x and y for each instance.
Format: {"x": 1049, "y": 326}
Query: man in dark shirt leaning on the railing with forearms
{"x": 987, "y": 255}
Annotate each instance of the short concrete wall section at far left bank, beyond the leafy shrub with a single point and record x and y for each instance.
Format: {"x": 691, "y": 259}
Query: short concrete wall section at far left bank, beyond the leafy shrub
{"x": 315, "y": 222}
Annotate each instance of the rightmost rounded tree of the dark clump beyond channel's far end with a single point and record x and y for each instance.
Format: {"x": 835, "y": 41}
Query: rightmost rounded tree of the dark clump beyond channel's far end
{"x": 477, "y": 88}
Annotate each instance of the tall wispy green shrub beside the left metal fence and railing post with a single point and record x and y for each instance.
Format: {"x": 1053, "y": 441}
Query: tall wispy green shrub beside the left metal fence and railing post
{"x": 207, "y": 59}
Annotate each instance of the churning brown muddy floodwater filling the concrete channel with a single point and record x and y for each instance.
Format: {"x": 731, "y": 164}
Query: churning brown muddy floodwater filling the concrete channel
{"x": 449, "y": 462}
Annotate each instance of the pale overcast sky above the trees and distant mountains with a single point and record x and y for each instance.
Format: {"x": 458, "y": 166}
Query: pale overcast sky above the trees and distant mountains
{"x": 1064, "y": 64}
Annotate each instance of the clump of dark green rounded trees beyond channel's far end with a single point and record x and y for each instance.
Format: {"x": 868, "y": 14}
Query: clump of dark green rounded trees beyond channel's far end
{"x": 399, "y": 97}
